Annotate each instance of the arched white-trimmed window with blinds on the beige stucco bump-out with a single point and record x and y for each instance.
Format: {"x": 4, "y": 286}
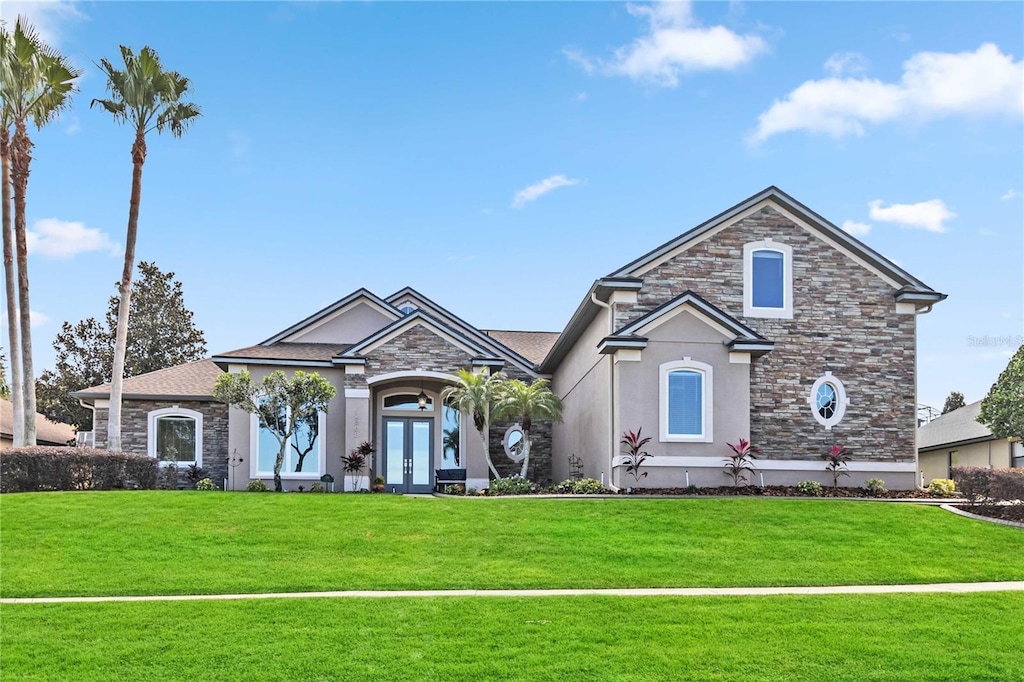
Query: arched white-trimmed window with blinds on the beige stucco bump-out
{"x": 686, "y": 402}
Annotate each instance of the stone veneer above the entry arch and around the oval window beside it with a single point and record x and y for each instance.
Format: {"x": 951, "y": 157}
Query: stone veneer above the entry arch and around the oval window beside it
{"x": 419, "y": 349}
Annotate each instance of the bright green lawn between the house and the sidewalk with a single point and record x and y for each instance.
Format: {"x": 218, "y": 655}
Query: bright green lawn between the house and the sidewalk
{"x": 62, "y": 544}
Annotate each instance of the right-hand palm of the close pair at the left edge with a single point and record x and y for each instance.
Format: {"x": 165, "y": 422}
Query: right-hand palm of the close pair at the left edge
{"x": 37, "y": 82}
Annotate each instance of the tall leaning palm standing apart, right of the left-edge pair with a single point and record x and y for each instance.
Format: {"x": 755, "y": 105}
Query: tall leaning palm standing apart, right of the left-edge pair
{"x": 147, "y": 98}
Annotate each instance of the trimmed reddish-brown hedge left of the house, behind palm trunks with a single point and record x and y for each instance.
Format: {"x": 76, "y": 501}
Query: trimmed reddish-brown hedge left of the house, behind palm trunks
{"x": 30, "y": 470}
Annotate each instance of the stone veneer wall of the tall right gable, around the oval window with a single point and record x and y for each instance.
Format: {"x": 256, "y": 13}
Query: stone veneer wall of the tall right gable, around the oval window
{"x": 844, "y": 320}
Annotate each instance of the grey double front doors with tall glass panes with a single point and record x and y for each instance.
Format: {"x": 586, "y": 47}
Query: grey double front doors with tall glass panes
{"x": 409, "y": 454}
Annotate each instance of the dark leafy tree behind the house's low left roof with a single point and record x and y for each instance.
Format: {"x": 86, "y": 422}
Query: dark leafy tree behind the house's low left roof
{"x": 162, "y": 334}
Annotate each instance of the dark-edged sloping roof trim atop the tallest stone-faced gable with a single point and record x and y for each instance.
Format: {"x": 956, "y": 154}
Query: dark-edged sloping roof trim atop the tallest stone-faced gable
{"x": 813, "y": 220}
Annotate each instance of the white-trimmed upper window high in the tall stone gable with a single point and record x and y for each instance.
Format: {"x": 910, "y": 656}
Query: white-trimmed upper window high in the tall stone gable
{"x": 767, "y": 280}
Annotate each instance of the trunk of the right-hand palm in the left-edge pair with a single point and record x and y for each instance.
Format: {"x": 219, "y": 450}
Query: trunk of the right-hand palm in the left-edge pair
{"x": 21, "y": 160}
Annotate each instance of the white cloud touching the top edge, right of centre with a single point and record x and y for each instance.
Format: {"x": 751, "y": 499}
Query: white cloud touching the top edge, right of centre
{"x": 673, "y": 45}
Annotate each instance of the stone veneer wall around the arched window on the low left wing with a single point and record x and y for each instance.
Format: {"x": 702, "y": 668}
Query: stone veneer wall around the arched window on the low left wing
{"x": 135, "y": 431}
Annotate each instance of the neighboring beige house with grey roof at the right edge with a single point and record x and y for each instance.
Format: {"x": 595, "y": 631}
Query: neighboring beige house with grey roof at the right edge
{"x": 959, "y": 440}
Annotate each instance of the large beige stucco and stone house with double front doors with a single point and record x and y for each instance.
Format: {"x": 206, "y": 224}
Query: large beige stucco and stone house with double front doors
{"x": 766, "y": 322}
